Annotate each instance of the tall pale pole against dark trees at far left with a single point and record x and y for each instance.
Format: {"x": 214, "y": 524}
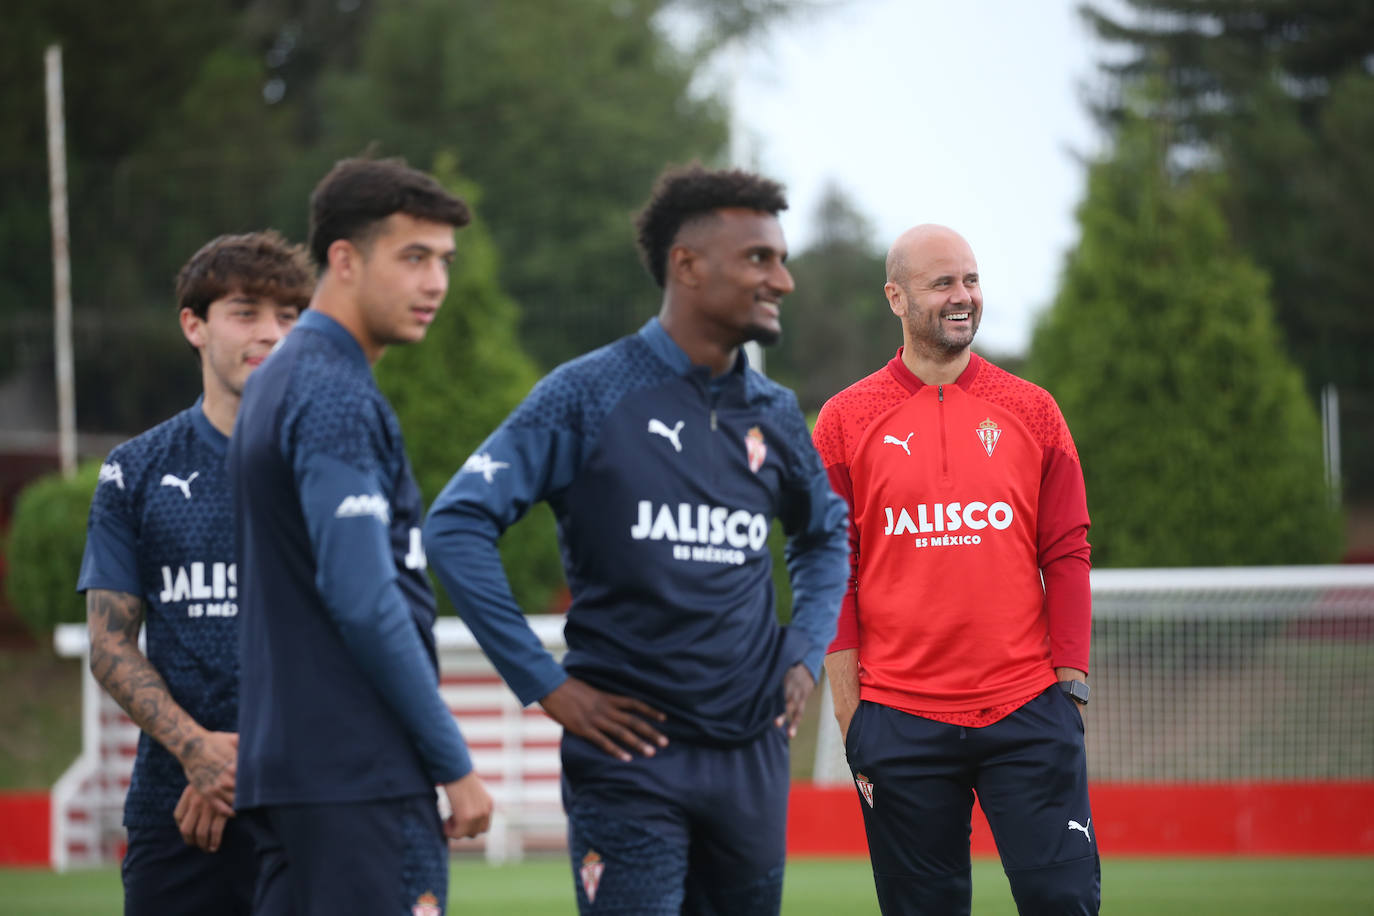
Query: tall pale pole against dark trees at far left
{"x": 61, "y": 263}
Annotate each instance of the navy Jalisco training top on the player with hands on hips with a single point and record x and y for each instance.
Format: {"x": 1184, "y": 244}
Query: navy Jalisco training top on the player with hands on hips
{"x": 664, "y": 485}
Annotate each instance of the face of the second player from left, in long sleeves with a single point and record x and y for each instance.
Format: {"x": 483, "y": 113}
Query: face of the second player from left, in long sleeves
{"x": 401, "y": 278}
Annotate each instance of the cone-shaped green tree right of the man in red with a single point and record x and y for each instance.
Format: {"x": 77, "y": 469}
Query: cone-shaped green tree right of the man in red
{"x": 1199, "y": 443}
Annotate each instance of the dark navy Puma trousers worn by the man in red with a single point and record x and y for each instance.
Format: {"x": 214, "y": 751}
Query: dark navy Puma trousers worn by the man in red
{"x": 917, "y": 779}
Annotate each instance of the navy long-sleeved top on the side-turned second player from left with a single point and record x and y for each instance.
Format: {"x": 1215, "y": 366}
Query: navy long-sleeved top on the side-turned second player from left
{"x": 340, "y": 693}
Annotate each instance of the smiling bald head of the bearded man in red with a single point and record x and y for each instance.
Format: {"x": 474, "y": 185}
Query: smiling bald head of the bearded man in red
{"x": 936, "y": 293}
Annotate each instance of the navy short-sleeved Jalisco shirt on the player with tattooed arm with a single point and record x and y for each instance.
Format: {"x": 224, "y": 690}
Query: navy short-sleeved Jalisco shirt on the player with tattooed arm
{"x": 161, "y": 531}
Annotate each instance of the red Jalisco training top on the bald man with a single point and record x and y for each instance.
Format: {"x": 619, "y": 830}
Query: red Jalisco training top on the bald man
{"x": 961, "y": 499}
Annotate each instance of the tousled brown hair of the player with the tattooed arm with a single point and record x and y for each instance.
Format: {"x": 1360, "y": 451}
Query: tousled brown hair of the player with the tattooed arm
{"x": 259, "y": 264}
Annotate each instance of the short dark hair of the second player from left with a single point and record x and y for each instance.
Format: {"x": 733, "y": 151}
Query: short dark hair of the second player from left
{"x": 358, "y": 194}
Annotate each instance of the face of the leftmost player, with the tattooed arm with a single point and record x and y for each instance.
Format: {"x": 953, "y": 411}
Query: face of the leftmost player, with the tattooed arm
{"x": 236, "y": 336}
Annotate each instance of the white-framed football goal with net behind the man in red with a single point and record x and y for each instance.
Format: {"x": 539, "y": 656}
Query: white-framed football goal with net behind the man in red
{"x": 1222, "y": 675}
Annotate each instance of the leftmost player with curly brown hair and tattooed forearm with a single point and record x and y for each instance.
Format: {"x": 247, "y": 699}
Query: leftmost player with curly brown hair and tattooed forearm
{"x": 160, "y": 551}
